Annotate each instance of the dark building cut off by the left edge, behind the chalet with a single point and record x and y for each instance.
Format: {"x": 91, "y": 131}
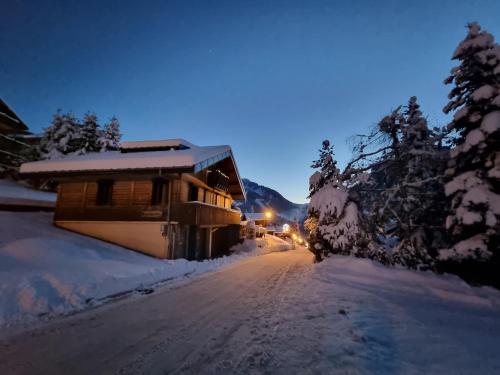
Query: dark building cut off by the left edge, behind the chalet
{"x": 13, "y": 148}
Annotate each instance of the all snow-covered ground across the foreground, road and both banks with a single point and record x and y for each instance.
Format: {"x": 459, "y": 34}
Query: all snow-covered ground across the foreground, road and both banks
{"x": 279, "y": 313}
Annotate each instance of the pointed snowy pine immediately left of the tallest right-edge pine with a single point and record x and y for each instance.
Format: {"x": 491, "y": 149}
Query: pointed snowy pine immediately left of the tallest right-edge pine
{"x": 419, "y": 196}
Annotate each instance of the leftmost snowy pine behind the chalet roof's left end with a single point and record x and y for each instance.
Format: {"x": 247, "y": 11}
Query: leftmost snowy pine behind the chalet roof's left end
{"x": 58, "y": 138}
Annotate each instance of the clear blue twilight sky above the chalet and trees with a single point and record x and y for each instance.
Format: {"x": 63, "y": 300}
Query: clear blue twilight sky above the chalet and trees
{"x": 270, "y": 78}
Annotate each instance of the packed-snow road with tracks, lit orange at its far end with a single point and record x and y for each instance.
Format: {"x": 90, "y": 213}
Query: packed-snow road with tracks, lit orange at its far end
{"x": 234, "y": 321}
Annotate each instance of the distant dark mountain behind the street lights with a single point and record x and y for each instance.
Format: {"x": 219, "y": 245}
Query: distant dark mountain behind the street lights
{"x": 260, "y": 198}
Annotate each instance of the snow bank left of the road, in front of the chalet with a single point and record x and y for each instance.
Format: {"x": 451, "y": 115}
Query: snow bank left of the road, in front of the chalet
{"x": 48, "y": 271}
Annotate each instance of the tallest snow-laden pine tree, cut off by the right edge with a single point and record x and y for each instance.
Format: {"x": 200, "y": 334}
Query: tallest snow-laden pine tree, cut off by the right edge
{"x": 474, "y": 169}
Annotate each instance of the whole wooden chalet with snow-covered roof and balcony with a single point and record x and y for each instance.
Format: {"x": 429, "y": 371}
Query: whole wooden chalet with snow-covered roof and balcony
{"x": 170, "y": 199}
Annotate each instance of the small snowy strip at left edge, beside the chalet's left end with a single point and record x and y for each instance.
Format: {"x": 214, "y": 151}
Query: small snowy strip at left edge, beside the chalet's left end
{"x": 15, "y": 193}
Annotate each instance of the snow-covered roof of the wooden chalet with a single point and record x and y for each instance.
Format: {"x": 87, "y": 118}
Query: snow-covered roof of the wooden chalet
{"x": 195, "y": 158}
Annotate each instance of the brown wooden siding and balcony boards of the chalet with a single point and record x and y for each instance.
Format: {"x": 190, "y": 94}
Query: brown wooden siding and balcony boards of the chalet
{"x": 131, "y": 201}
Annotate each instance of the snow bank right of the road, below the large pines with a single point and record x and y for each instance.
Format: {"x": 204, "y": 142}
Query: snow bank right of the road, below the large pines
{"x": 389, "y": 320}
